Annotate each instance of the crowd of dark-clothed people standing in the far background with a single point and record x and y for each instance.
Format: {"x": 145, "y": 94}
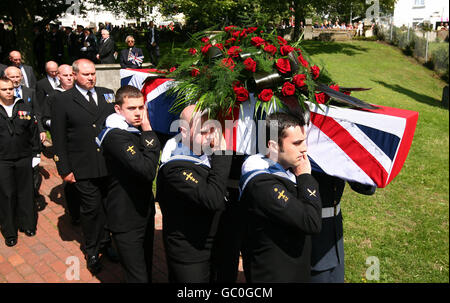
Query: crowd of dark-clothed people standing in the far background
{"x": 101, "y": 43}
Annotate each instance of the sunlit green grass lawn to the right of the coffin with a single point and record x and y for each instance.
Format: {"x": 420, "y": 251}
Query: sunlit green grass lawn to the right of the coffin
{"x": 406, "y": 224}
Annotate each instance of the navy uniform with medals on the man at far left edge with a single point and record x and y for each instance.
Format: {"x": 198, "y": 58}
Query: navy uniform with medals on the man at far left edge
{"x": 18, "y": 143}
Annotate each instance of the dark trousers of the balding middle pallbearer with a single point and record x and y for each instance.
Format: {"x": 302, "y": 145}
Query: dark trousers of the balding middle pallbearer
{"x": 189, "y": 273}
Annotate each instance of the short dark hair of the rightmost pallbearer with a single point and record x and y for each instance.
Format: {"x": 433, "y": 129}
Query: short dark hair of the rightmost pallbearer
{"x": 283, "y": 121}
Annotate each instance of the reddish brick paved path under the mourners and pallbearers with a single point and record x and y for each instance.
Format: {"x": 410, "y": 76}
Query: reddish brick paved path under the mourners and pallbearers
{"x": 42, "y": 258}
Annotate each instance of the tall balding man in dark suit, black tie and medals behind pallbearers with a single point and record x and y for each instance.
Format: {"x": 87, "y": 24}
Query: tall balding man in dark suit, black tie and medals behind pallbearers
{"x": 78, "y": 115}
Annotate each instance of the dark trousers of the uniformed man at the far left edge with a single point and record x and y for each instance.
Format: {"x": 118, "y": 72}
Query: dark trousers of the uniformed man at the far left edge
{"x": 17, "y": 207}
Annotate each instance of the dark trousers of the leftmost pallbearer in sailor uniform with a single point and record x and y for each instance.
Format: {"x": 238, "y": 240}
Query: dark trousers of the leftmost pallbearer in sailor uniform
{"x": 135, "y": 250}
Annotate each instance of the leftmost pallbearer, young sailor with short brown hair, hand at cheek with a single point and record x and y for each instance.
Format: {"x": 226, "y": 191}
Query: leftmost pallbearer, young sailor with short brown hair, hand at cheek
{"x": 132, "y": 151}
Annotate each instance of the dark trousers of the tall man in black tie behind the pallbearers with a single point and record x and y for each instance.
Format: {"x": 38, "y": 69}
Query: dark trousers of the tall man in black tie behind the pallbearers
{"x": 91, "y": 193}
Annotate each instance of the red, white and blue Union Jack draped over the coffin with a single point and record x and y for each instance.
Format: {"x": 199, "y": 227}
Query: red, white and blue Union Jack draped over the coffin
{"x": 367, "y": 146}
